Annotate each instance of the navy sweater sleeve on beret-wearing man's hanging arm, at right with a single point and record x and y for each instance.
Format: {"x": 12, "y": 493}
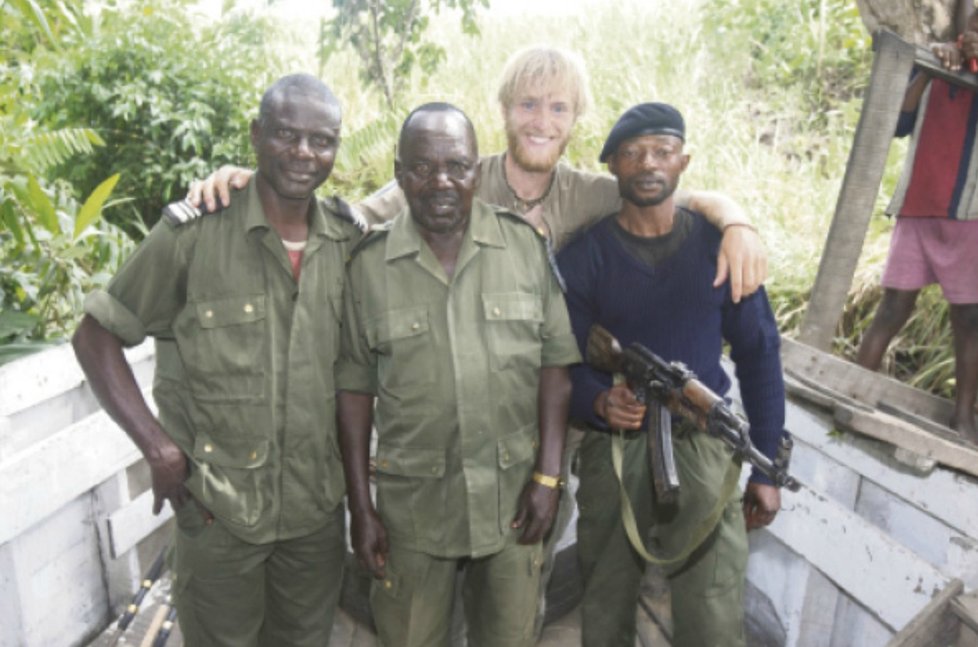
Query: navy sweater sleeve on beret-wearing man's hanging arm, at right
{"x": 750, "y": 329}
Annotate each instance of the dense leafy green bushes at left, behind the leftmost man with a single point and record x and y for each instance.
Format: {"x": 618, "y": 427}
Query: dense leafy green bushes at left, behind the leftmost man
{"x": 132, "y": 102}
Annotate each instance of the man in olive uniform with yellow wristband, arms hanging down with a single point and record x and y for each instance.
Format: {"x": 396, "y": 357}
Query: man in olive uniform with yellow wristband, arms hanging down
{"x": 454, "y": 321}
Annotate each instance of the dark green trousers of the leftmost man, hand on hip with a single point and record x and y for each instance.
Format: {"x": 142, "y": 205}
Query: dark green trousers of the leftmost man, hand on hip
{"x": 235, "y": 594}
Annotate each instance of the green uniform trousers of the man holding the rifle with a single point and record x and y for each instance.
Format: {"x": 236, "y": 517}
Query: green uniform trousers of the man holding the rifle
{"x": 707, "y": 589}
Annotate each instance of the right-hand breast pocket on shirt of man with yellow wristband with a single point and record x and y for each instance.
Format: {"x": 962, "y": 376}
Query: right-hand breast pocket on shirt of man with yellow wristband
{"x": 513, "y": 322}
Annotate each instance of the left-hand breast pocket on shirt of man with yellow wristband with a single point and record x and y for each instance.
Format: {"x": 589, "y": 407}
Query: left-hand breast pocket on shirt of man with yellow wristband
{"x": 402, "y": 342}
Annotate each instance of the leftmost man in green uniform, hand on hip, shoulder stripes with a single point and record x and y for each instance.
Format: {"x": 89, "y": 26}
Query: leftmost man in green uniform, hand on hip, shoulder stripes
{"x": 245, "y": 310}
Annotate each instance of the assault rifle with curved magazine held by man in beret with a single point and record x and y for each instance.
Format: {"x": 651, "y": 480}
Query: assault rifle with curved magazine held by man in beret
{"x": 677, "y": 389}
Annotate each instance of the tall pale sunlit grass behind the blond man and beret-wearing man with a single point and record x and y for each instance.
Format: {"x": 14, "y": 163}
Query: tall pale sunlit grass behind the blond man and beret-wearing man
{"x": 771, "y": 93}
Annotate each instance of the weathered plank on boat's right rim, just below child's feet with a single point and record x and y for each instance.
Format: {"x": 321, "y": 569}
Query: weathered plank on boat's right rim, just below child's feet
{"x": 891, "y": 429}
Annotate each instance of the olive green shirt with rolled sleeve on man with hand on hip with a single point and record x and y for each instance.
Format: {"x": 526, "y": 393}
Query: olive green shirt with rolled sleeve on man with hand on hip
{"x": 245, "y": 357}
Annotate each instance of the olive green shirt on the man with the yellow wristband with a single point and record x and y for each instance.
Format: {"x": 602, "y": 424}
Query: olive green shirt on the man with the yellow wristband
{"x": 454, "y": 363}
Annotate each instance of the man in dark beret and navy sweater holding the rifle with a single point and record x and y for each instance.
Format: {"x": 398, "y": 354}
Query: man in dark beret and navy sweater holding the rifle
{"x": 645, "y": 274}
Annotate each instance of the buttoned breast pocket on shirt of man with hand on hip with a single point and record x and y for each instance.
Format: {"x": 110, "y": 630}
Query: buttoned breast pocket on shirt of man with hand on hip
{"x": 228, "y": 348}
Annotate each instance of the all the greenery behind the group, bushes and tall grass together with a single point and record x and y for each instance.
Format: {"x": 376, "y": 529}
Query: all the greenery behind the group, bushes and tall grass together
{"x": 154, "y": 93}
